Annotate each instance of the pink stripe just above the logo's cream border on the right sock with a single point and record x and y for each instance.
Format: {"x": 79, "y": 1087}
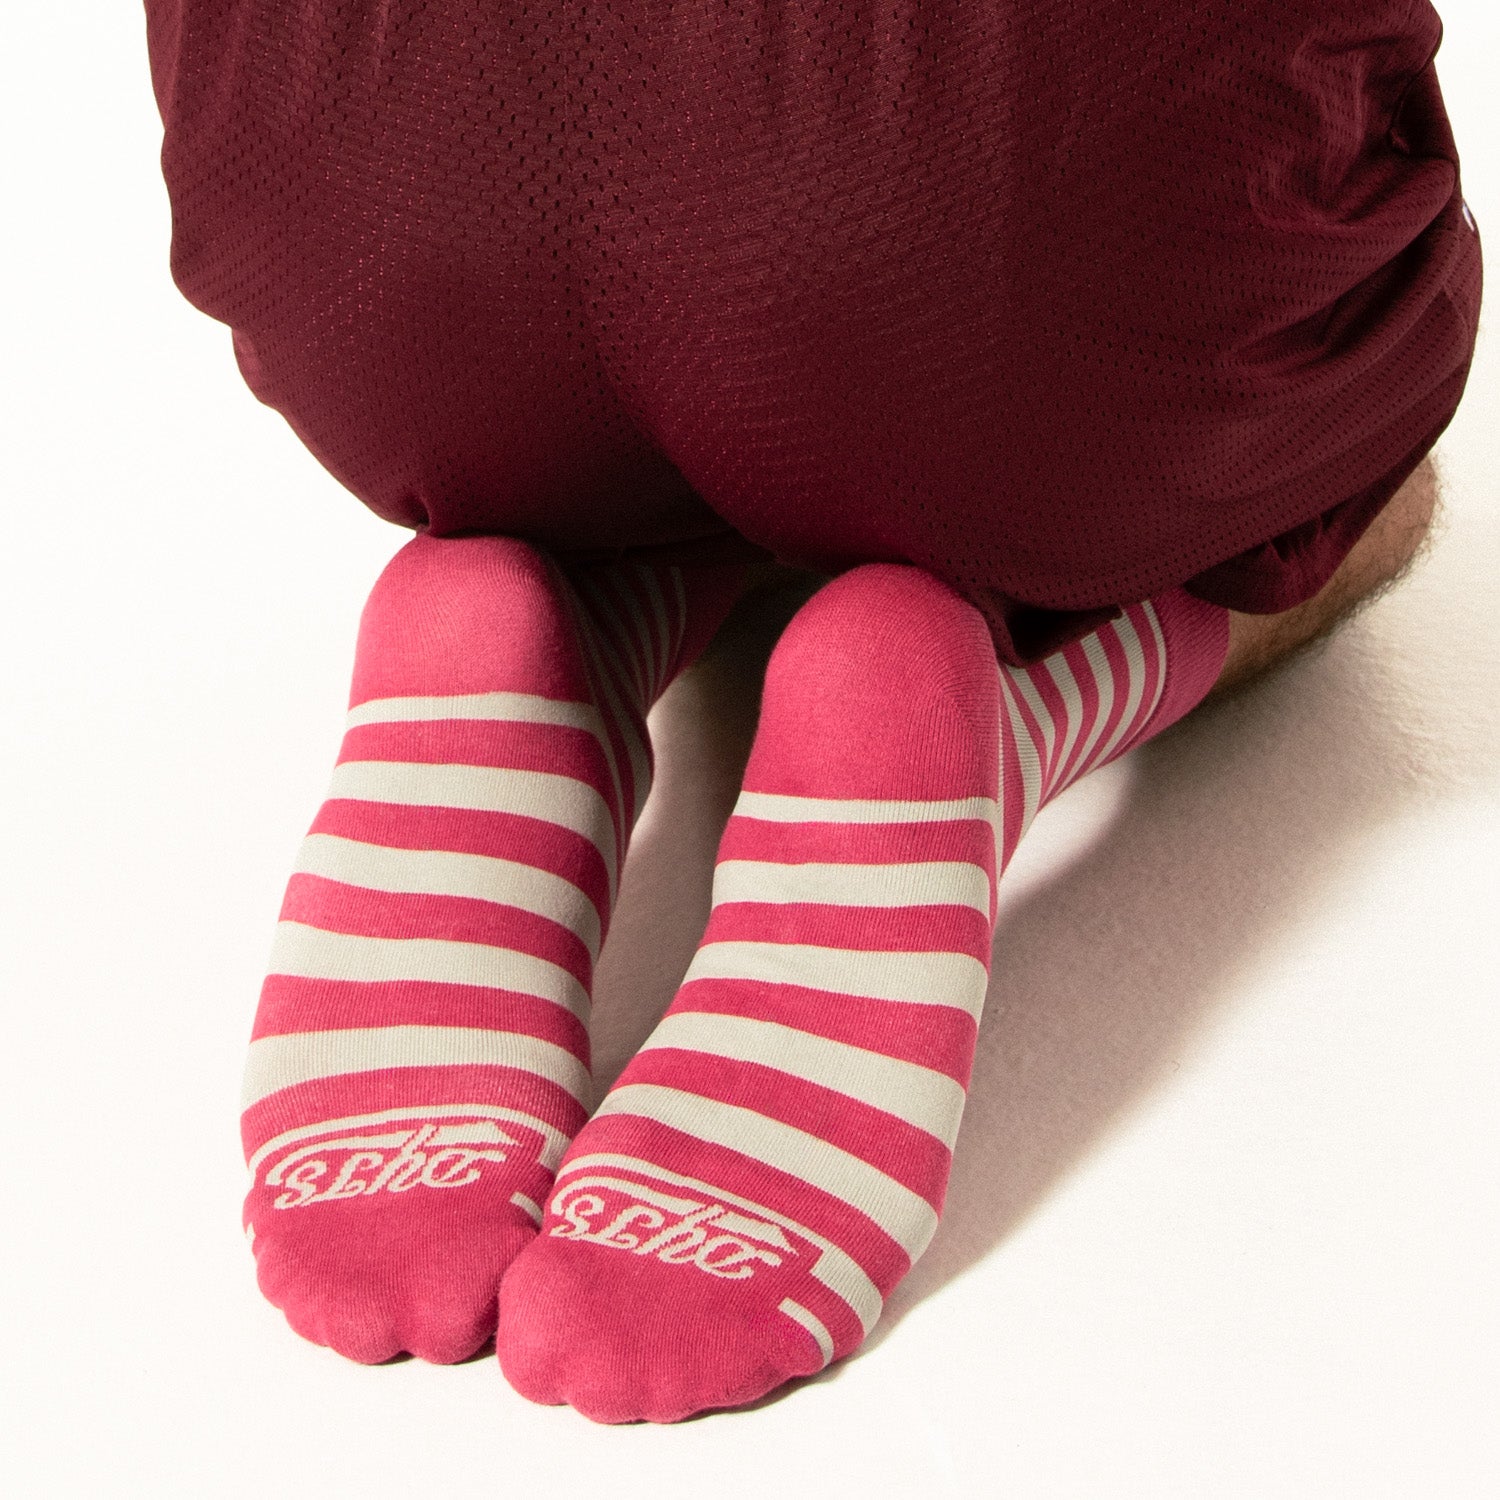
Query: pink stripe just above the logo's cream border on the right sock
{"x": 881, "y": 1259}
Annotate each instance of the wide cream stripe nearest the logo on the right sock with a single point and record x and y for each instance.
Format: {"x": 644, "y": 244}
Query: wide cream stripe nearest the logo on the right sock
{"x": 905, "y": 1216}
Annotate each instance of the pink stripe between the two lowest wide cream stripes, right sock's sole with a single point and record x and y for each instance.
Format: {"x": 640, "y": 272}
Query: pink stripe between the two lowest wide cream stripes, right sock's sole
{"x": 910, "y": 1156}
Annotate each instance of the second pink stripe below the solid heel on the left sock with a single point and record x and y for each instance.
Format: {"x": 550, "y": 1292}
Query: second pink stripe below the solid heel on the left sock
{"x": 451, "y": 830}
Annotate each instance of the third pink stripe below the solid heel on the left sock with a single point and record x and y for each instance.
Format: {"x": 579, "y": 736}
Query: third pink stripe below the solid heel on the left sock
{"x": 335, "y": 907}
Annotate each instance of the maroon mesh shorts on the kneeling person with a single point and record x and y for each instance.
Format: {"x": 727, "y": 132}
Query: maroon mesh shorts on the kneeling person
{"x": 1067, "y": 304}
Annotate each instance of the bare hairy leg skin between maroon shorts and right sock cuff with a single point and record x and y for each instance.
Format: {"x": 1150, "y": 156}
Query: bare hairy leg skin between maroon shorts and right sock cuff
{"x": 1382, "y": 557}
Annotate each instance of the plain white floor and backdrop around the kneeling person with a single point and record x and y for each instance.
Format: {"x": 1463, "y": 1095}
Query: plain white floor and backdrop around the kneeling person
{"x": 1226, "y": 1211}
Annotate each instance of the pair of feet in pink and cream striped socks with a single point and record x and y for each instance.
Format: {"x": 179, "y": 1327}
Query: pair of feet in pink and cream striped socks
{"x": 427, "y": 1171}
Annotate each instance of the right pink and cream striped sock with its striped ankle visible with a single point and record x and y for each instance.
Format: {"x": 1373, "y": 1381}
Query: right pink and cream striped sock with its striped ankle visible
{"x": 775, "y": 1159}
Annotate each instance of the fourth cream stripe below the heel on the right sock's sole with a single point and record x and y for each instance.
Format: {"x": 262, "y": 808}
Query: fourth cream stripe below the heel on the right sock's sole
{"x": 923, "y": 1097}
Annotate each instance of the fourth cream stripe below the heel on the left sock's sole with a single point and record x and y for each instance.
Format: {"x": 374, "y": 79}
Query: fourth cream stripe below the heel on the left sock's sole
{"x": 310, "y": 953}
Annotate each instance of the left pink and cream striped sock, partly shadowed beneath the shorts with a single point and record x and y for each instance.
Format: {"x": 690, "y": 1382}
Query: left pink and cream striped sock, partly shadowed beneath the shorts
{"x": 421, "y": 1052}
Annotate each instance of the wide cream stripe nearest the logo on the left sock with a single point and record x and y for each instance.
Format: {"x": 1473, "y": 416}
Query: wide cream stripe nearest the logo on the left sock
{"x": 281, "y": 1063}
